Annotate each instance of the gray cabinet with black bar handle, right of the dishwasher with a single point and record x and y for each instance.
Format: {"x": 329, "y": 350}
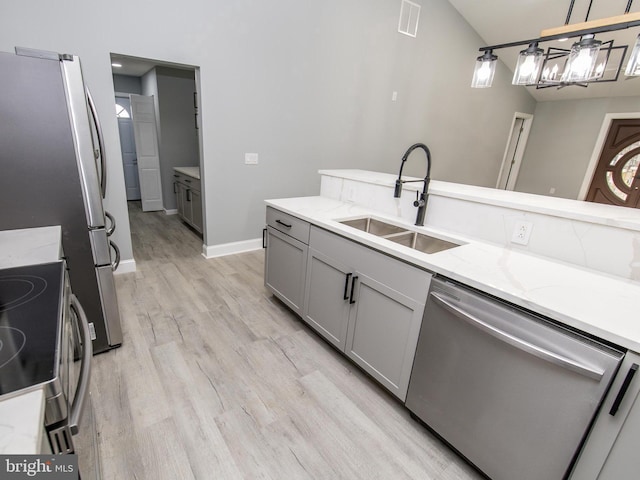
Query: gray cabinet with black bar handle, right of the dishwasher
{"x": 611, "y": 449}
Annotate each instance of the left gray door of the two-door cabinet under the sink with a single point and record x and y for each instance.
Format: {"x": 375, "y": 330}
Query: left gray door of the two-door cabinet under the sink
{"x": 326, "y": 308}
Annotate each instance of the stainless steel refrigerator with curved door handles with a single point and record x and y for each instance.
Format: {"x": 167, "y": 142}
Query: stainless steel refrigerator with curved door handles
{"x": 53, "y": 172}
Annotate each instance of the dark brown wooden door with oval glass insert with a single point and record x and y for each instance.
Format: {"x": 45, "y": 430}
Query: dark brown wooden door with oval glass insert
{"x": 616, "y": 180}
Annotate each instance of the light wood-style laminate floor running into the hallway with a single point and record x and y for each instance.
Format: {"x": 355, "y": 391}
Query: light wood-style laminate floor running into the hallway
{"x": 216, "y": 379}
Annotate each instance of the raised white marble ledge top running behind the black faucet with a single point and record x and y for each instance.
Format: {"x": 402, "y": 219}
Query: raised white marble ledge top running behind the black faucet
{"x": 598, "y": 213}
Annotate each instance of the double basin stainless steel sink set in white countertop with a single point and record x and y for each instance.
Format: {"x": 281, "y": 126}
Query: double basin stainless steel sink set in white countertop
{"x": 403, "y": 236}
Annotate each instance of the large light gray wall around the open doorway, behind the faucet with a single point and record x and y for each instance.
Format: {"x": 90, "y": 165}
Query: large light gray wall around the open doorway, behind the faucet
{"x": 307, "y": 85}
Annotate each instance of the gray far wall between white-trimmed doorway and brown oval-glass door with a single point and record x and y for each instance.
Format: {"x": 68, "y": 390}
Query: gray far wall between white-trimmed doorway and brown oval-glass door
{"x": 562, "y": 140}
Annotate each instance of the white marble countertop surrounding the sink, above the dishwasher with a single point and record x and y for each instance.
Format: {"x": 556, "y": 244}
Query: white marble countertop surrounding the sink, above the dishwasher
{"x": 602, "y": 305}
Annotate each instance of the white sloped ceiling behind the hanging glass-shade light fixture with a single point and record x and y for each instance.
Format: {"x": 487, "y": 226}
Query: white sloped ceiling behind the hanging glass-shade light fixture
{"x": 505, "y": 21}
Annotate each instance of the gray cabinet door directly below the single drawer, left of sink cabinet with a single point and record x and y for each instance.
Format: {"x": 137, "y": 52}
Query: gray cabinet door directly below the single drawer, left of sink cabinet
{"x": 285, "y": 268}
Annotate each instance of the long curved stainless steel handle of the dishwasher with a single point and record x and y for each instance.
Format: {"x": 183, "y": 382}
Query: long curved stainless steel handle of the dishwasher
{"x": 519, "y": 343}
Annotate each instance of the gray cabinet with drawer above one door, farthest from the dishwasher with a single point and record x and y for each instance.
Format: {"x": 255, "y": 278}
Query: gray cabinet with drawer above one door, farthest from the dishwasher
{"x": 286, "y": 258}
